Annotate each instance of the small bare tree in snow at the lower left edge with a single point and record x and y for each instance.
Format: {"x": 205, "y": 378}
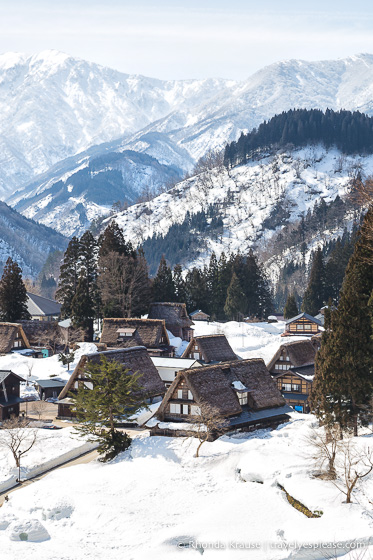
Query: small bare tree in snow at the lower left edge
{"x": 18, "y": 437}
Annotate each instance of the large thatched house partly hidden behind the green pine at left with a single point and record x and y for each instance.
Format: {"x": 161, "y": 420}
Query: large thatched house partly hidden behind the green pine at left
{"x": 136, "y": 360}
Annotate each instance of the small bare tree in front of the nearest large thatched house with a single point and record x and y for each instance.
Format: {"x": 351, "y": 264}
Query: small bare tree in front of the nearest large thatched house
{"x": 208, "y": 422}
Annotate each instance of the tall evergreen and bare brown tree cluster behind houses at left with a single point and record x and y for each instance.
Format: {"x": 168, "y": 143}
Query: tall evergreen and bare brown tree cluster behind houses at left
{"x": 102, "y": 278}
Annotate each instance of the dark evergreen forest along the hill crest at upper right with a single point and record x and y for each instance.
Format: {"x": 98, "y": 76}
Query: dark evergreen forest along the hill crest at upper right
{"x": 350, "y": 132}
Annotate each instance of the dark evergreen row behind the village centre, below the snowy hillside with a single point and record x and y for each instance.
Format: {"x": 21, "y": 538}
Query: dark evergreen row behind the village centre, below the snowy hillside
{"x": 228, "y": 288}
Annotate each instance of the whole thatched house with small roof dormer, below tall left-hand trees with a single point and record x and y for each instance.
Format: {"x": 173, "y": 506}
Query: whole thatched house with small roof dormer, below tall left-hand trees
{"x": 150, "y": 333}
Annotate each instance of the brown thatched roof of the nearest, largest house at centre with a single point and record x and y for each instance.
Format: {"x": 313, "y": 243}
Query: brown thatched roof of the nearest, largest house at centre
{"x": 214, "y": 385}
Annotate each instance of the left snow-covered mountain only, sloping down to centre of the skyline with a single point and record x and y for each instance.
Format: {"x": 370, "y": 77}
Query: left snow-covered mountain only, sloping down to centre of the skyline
{"x": 53, "y": 106}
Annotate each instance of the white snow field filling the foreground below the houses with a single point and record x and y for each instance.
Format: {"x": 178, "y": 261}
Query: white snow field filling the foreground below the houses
{"x": 154, "y": 500}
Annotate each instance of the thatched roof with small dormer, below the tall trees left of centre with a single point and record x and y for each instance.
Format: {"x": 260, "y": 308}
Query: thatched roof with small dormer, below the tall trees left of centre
{"x": 149, "y": 332}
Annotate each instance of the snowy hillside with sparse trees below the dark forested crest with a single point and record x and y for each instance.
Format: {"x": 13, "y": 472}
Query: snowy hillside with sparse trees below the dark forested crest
{"x": 253, "y": 200}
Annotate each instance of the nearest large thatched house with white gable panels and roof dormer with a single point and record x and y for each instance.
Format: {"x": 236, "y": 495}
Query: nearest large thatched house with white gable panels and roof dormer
{"x": 242, "y": 391}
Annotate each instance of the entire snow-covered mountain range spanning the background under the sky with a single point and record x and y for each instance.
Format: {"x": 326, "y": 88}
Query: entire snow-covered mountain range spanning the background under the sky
{"x": 53, "y": 106}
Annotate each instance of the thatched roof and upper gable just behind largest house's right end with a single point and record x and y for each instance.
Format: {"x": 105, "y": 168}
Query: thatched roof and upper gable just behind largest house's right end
{"x": 292, "y": 354}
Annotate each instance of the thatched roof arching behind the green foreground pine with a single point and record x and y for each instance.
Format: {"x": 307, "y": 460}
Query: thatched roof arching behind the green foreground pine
{"x": 135, "y": 359}
